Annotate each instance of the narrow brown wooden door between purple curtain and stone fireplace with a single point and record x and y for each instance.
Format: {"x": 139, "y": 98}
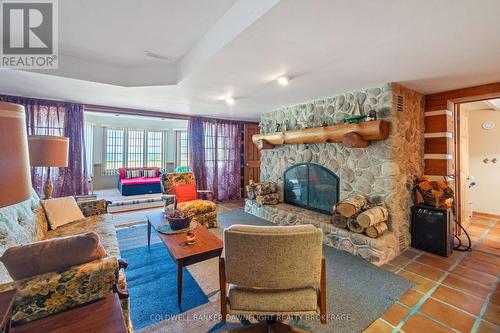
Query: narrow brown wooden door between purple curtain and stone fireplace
{"x": 251, "y": 156}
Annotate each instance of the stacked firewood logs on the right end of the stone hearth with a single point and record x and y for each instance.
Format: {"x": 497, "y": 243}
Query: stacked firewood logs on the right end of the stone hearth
{"x": 357, "y": 214}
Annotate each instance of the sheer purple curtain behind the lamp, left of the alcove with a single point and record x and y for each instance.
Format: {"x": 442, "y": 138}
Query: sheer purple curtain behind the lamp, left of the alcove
{"x": 44, "y": 117}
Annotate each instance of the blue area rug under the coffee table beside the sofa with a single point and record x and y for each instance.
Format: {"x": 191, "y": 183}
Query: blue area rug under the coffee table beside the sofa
{"x": 152, "y": 281}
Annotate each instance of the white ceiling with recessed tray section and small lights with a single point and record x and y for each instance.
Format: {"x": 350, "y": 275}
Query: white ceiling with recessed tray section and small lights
{"x": 236, "y": 48}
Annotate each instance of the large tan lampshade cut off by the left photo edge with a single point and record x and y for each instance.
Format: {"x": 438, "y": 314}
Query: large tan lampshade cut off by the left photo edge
{"x": 15, "y": 180}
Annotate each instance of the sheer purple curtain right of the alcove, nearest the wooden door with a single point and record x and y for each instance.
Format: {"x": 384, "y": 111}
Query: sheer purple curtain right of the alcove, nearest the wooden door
{"x": 215, "y": 148}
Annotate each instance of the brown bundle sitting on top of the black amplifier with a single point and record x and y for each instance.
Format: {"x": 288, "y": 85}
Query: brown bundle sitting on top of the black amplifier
{"x": 433, "y": 193}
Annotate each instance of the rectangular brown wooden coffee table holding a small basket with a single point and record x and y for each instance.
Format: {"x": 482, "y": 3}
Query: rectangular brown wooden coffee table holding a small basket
{"x": 207, "y": 246}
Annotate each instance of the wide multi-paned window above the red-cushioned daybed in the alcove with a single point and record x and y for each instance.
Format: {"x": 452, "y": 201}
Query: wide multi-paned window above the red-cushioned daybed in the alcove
{"x": 134, "y": 148}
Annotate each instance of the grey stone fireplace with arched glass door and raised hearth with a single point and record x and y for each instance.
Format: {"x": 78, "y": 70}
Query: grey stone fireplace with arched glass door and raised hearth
{"x": 383, "y": 171}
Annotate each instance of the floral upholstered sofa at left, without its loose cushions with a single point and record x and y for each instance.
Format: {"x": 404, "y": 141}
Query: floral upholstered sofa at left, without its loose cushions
{"x": 45, "y": 294}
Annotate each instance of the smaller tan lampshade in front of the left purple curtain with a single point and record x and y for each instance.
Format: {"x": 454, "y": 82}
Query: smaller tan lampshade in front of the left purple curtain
{"x": 48, "y": 150}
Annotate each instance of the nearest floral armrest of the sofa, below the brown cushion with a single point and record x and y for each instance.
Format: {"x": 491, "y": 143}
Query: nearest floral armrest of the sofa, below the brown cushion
{"x": 46, "y": 294}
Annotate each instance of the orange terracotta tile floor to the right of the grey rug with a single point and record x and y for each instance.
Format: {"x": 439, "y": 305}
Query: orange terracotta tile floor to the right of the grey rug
{"x": 460, "y": 293}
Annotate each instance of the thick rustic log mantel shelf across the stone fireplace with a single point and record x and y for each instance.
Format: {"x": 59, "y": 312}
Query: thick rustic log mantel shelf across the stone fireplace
{"x": 350, "y": 135}
